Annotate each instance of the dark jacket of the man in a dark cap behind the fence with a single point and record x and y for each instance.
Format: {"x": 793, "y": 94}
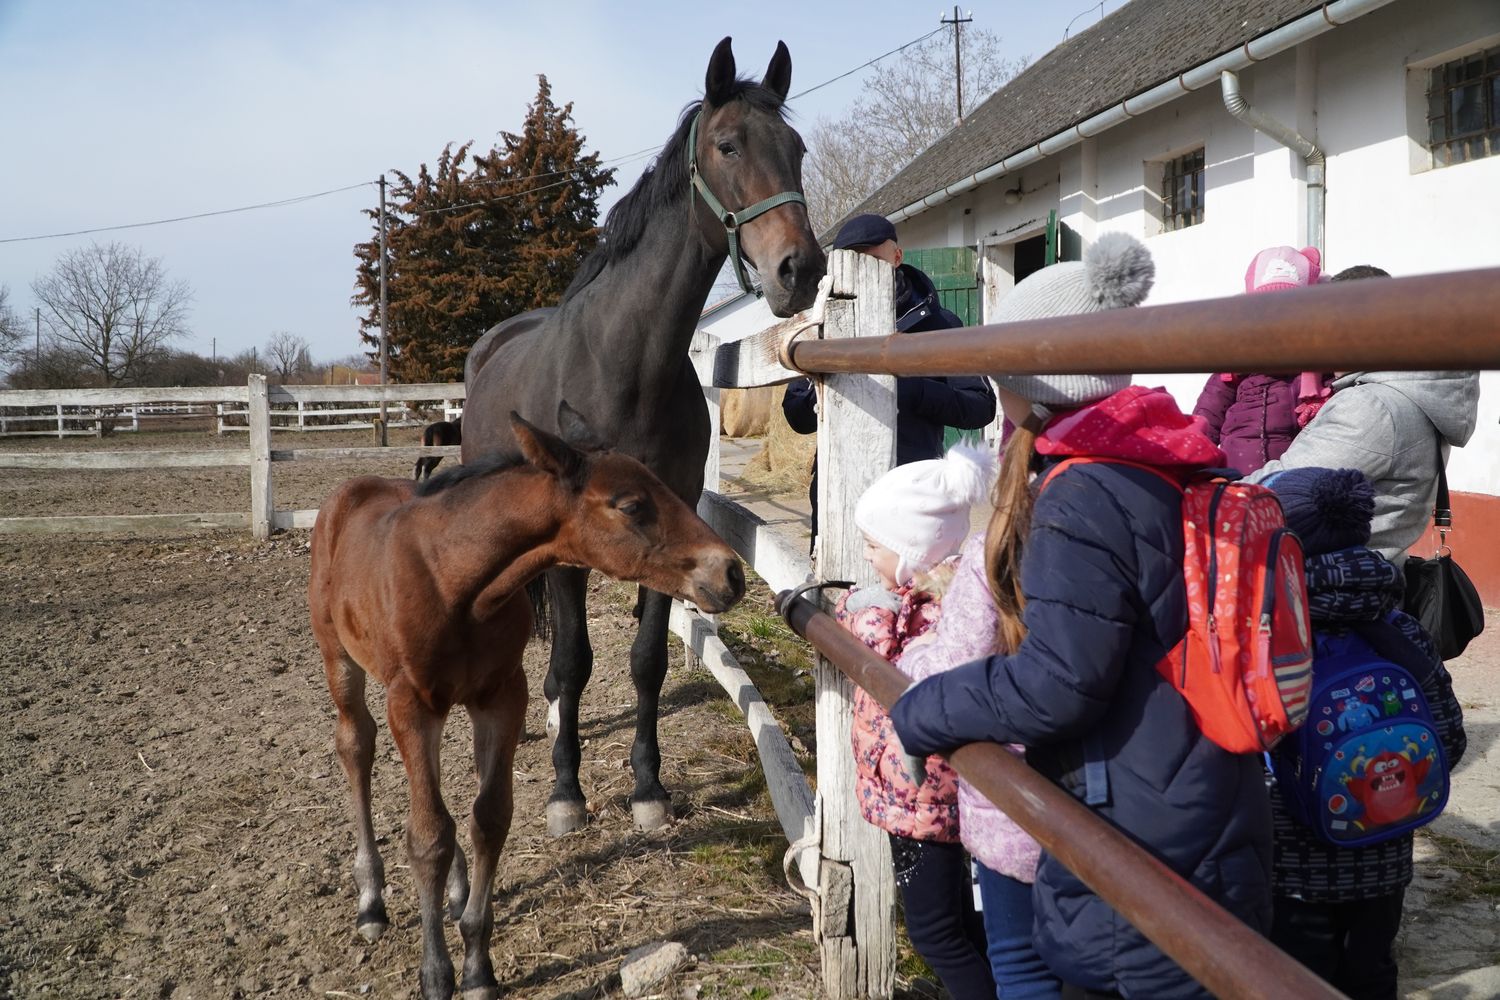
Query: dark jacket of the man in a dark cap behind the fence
{"x": 925, "y": 407}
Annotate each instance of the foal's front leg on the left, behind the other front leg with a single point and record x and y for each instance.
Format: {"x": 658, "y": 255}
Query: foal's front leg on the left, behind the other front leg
{"x": 430, "y": 827}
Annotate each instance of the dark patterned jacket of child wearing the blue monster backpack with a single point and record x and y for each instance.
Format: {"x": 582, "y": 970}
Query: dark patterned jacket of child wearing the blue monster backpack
{"x": 1355, "y": 588}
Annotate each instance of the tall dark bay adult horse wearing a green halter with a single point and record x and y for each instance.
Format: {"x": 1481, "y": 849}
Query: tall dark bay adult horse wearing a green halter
{"x": 617, "y": 347}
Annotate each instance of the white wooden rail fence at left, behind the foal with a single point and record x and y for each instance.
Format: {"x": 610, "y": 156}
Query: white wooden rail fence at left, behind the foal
{"x": 260, "y": 403}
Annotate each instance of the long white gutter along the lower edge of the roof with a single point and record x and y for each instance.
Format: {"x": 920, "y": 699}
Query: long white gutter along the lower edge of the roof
{"x": 1253, "y": 52}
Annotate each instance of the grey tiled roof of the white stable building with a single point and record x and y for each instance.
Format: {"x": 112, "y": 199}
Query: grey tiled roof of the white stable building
{"x": 1127, "y": 53}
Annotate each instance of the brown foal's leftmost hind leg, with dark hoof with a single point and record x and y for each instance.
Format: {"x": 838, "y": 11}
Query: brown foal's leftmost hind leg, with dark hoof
{"x": 355, "y": 738}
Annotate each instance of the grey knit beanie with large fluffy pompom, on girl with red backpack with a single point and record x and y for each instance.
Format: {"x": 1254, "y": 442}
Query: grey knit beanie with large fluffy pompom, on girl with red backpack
{"x": 1114, "y": 274}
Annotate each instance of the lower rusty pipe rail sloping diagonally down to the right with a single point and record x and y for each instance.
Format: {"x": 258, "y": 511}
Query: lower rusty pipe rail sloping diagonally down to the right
{"x": 1214, "y": 947}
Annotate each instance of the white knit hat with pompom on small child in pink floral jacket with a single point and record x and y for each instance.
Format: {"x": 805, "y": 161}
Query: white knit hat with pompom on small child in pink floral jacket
{"x": 922, "y": 510}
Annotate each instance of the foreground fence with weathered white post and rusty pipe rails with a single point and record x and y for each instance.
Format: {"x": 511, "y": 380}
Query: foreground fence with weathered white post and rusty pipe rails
{"x": 847, "y": 343}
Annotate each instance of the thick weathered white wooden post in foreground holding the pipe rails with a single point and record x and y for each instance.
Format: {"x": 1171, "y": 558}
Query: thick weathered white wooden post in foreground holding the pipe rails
{"x": 856, "y": 927}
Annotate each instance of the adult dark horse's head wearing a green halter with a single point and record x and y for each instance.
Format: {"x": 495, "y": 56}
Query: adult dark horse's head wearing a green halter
{"x": 746, "y": 155}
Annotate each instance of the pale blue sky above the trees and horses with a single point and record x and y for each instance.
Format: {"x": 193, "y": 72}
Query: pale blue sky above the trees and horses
{"x": 122, "y": 113}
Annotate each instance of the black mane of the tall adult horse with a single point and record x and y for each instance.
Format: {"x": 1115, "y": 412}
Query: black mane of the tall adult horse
{"x": 659, "y": 187}
